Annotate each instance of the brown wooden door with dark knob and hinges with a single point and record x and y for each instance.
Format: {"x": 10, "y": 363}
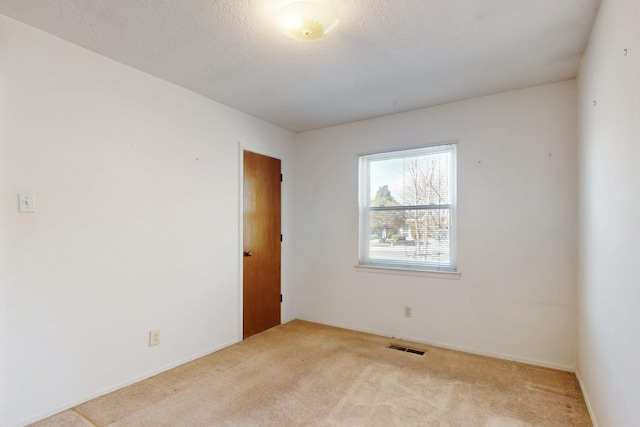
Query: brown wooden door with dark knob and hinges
{"x": 261, "y": 241}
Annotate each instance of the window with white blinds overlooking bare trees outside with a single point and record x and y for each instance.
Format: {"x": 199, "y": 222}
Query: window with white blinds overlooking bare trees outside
{"x": 408, "y": 208}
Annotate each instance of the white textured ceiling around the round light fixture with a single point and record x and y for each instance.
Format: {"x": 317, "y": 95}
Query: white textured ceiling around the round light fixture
{"x": 385, "y": 56}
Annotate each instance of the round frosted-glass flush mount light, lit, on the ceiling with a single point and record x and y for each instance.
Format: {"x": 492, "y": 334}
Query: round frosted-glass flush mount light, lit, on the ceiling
{"x": 306, "y": 20}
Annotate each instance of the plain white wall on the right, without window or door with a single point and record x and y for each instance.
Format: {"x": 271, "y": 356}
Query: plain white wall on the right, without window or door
{"x": 609, "y": 272}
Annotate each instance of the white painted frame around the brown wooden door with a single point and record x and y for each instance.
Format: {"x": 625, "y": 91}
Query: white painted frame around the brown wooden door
{"x": 264, "y": 152}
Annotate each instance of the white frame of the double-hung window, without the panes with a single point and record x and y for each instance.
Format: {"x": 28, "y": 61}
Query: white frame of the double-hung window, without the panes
{"x": 365, "y": 208}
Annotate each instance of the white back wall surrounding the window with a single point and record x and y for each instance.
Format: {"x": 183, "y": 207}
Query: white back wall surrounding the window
{"x": 517, "y": 214}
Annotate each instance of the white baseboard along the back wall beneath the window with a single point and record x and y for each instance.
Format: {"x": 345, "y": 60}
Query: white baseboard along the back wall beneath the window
{"x": 449, "y": 346}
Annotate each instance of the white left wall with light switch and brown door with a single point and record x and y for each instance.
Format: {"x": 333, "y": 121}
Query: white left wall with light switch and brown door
{"x": 136, "y": 184}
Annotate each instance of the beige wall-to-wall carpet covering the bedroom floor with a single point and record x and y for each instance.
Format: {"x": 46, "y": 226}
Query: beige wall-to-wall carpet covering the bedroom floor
{"x": 307, "y": 374}
